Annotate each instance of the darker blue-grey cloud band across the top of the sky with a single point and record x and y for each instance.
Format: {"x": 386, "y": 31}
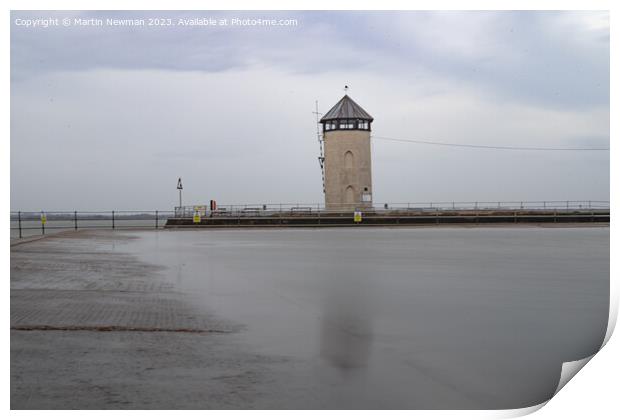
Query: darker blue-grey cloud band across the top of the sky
{"x": 523, "y": 56}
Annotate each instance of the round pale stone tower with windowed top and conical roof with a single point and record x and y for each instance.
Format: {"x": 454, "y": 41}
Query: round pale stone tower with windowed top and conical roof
{"x": 346, "y": 136}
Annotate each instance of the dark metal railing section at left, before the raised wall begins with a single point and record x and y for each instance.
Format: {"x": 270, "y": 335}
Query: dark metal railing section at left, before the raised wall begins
{"x": 25, "y": 223}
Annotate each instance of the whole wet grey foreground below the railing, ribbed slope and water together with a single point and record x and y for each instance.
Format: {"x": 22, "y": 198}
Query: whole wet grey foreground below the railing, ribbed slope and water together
{"x": 432, "y": 318}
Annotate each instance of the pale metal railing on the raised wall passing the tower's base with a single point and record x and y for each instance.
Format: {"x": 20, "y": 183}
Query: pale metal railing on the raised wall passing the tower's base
{"x": 250, "y": 210}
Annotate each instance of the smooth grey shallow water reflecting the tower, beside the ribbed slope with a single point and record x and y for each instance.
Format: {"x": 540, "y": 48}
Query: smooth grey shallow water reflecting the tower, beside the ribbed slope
{"x": 398, "y": 318}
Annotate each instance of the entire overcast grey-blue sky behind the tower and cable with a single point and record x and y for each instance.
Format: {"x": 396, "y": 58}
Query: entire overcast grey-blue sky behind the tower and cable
{"x": 109, "y": 117}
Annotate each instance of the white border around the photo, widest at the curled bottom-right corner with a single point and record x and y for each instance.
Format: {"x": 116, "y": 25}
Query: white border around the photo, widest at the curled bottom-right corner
{"x": 592, "y": 394}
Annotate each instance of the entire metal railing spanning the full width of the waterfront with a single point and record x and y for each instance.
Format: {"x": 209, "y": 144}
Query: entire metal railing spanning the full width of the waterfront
{"x": 27, "y": 223}
